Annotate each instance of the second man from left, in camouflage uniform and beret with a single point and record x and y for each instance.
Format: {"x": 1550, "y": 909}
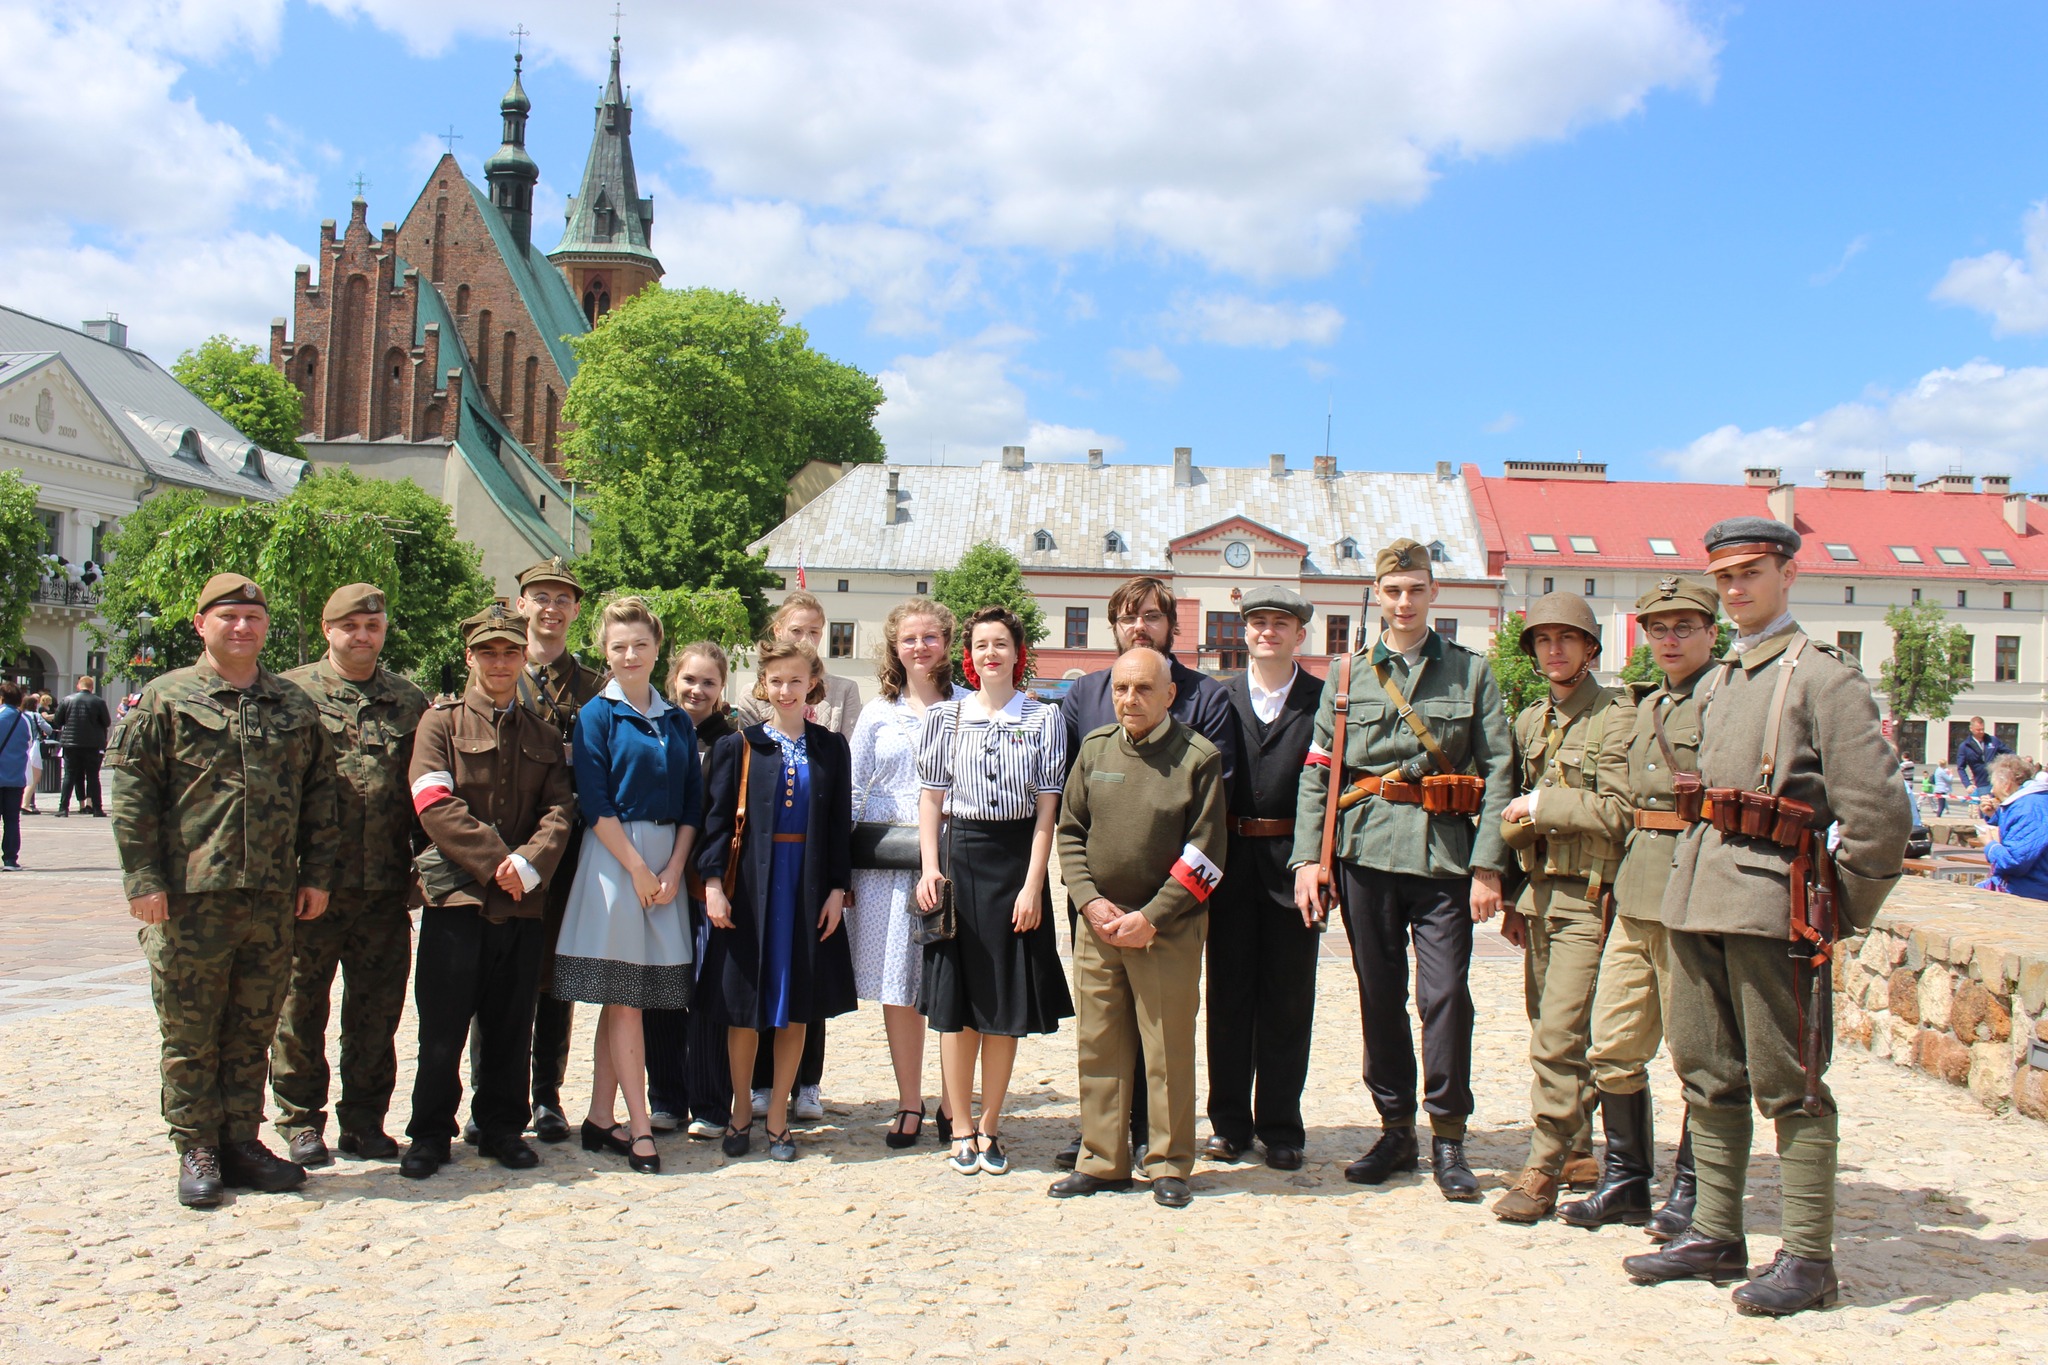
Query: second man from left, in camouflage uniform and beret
{"x": 370, "y": 715}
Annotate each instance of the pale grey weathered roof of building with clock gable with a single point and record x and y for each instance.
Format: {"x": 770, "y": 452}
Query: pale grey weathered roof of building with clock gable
{"x": 947, "y": 511}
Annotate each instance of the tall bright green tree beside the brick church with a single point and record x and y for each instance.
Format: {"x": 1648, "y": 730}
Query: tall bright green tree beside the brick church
{"x": 693, "y": 408}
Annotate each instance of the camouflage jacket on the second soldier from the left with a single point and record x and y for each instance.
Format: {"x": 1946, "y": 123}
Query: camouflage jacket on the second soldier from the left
{"x": 370, "y": 742}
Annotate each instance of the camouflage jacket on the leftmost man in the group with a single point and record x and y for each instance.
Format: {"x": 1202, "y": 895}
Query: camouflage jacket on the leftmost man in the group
{"x": 222, "y": 789}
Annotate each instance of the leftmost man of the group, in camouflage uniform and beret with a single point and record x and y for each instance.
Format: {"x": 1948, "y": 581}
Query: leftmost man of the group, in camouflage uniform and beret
{"x": 224, "y": 822}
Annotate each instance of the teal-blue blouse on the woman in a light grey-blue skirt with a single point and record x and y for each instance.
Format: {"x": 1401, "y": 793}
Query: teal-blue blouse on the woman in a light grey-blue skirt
{"x": 624, "y": 768}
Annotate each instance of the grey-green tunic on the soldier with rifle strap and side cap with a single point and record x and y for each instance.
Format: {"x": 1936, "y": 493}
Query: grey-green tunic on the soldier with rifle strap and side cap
{"x": 1455, "y": 695}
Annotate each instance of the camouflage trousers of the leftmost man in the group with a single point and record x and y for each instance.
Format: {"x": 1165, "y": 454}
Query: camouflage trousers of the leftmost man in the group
{"x": 218, "y": 973}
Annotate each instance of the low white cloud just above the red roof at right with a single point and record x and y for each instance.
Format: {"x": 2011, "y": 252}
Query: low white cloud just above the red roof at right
{"x": 1977, "y": 419}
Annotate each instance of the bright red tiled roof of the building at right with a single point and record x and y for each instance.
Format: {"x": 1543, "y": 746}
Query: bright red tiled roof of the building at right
{"x": 1621, "y": 519}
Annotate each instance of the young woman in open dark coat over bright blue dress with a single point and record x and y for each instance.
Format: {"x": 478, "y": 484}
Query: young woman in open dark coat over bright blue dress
{"x": 777, "y": 959}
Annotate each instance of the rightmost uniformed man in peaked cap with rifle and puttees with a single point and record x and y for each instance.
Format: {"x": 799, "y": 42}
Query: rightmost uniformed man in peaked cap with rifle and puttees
{"x": 1791, "y": 746}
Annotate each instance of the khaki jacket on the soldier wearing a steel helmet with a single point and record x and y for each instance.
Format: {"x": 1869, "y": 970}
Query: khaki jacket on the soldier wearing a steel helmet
{"x": 1572, "y": 758}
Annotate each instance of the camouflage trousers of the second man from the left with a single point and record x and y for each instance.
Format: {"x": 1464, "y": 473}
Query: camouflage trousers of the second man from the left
{"x": 368, "y": 938}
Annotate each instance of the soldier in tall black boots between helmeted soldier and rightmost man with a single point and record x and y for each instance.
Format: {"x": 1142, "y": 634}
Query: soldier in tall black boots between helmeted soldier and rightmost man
{"x": 1678, "y": 619}
